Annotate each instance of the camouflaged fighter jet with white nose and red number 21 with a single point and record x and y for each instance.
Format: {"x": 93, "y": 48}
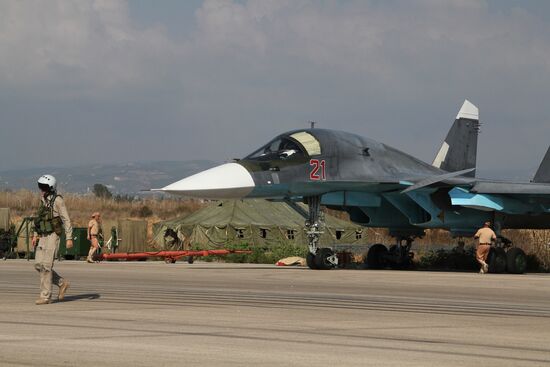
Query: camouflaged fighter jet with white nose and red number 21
{"x": 380, "y": 186}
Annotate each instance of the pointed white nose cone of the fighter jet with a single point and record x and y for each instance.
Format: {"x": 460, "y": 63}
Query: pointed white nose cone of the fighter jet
{"x": 228, "y": 181}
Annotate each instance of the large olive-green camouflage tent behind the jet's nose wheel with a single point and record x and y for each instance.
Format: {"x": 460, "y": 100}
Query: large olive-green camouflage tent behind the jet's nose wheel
{"x": 254, "y": 222}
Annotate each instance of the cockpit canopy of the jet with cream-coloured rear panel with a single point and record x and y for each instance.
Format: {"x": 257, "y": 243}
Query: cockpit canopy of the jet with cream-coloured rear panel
{"x": 298, "y": 145}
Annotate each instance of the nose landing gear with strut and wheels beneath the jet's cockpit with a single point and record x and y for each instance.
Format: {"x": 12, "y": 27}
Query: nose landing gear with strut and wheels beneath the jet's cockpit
{"x": 317, "y": 258}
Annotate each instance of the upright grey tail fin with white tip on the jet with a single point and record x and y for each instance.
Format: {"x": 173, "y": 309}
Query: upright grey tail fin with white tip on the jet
{"x": 459, "y": 149}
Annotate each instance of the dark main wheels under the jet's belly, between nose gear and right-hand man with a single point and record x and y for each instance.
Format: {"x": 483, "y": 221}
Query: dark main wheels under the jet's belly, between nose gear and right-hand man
{"x": 397, "y": 256}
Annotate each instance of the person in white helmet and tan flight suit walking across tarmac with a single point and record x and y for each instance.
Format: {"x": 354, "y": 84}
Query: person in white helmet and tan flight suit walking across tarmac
{"x": 51, "y": 220}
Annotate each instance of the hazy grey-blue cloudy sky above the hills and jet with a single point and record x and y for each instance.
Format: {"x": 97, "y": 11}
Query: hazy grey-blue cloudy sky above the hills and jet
{"x": 106, "y": 81}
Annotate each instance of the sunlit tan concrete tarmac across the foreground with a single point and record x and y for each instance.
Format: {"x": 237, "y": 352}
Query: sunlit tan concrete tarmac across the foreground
{"x": 210, "y": 314}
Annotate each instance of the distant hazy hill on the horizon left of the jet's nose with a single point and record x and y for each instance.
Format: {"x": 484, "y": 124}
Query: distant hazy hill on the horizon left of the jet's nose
{"x": 124, "y": 179}
